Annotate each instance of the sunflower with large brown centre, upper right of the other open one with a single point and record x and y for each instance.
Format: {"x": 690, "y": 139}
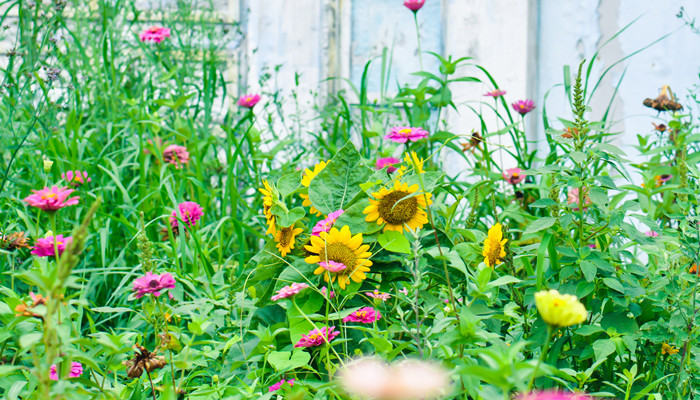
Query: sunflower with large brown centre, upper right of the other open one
{"x": 398, "y": 207}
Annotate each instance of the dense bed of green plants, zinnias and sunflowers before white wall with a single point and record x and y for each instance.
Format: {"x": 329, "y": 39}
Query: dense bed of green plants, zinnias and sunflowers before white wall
{"x": 167, "y": 233}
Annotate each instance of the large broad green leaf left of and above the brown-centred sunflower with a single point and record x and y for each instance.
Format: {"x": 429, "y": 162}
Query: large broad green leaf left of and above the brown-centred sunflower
{"x": 338, "y": 183}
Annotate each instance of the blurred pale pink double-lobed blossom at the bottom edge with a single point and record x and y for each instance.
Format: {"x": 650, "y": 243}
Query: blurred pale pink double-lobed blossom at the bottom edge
{"x": 369, "y": 378}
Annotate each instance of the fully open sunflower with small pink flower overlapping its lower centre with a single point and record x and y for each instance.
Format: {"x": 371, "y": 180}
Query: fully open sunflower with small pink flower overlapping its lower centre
{"x": 339, "y": 255}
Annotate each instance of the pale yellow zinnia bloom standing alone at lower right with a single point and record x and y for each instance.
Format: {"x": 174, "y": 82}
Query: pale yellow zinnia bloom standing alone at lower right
{"x": 560, "y": 310}
